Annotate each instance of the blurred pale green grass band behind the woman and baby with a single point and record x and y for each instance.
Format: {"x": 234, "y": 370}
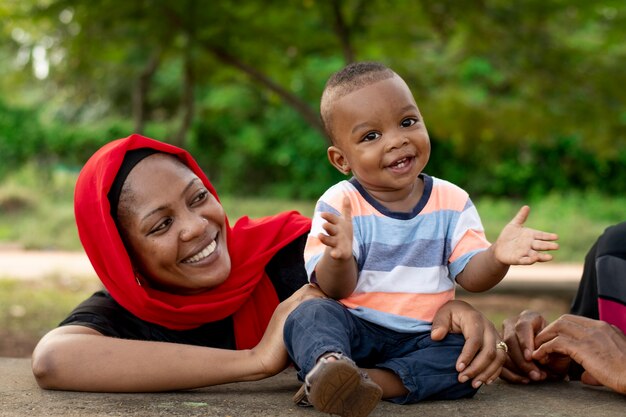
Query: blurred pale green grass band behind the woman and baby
{"x": 37, "y": 213}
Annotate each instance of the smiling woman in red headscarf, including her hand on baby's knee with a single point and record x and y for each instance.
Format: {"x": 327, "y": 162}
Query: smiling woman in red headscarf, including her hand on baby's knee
{"x": 190, "y": 301}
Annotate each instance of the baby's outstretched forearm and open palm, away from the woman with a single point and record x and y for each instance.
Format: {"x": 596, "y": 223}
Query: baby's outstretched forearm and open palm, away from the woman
{"x": 516, "y": 245}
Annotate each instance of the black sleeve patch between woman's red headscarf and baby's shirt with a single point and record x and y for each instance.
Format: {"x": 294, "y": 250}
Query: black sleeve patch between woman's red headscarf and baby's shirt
{"x": 286, "y": 269}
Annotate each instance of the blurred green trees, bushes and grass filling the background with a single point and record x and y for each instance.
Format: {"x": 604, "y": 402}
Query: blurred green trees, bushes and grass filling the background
{"x": 524, "y": 102}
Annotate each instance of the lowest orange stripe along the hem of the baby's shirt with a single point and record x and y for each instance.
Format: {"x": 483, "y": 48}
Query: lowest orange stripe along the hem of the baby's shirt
{"x": 416, "y": 306}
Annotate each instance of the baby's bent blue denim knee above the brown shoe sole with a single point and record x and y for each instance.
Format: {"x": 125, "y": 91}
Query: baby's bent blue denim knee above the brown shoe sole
{"x": 316, "y": 327}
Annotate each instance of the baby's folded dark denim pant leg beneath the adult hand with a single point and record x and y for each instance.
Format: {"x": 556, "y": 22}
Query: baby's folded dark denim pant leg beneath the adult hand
{"x": 429, "y": 371}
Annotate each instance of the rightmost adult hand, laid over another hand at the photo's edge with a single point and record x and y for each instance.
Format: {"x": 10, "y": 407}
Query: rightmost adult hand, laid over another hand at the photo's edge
{"x": 597, "y": 346}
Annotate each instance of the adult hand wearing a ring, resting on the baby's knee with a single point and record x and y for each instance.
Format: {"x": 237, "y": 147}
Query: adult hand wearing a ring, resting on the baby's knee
{"x": 479, "y": 360}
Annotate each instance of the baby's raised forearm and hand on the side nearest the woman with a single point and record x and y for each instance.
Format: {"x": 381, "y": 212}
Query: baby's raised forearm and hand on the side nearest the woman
{"x": 336, "y": 271}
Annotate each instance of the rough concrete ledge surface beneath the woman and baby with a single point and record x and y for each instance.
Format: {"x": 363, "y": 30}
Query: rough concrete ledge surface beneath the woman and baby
{"x": 20, "y": 396}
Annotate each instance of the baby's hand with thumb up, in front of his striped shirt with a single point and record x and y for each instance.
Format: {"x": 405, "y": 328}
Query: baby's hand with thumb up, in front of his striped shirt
{"x": 339, "y": 229}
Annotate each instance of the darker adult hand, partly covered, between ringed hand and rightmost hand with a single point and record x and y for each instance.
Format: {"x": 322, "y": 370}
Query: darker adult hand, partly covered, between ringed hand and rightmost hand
{"x": 519, "y": 334}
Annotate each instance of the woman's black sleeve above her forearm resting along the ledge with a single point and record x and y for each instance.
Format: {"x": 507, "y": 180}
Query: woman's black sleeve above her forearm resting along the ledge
{"x": 103, "y": 314}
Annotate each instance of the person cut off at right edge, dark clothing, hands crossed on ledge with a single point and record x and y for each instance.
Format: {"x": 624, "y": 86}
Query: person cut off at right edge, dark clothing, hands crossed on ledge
{"x": 589, "y": 343}
